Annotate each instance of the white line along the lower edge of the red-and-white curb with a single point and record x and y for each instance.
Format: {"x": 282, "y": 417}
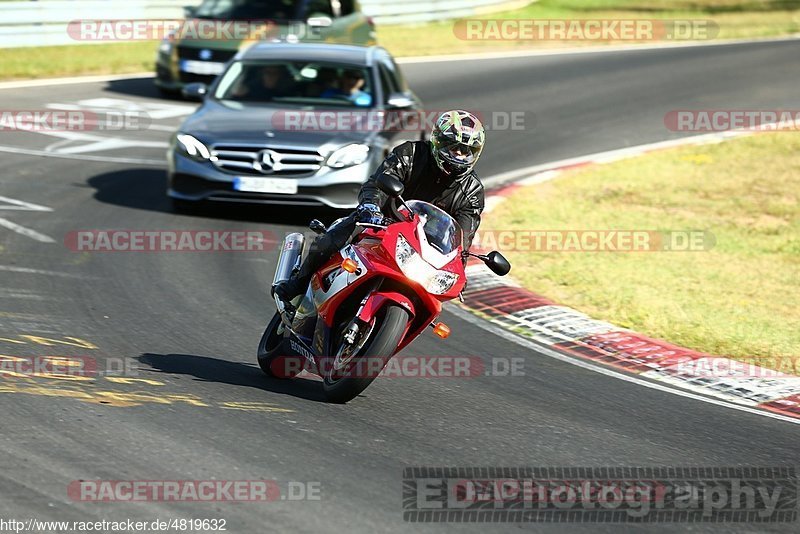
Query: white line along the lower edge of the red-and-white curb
{"x": 505, "y": 334}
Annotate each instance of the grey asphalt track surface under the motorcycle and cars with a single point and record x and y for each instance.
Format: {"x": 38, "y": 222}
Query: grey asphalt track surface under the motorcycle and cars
{"x": 190, "y": 322}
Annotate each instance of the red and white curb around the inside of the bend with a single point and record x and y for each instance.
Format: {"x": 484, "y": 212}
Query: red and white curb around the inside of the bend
{"x": 504, "y": 303}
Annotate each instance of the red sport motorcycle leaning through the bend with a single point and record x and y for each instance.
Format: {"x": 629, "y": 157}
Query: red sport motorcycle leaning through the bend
{"x": 370, "y": 301}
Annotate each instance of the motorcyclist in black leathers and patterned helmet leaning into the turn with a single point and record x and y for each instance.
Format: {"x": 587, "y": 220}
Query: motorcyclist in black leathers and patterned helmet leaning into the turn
{"x": 439, "y": 171}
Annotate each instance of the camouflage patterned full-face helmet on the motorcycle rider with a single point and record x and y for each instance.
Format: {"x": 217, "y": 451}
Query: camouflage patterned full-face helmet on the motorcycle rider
{"x": 457, "y": 142}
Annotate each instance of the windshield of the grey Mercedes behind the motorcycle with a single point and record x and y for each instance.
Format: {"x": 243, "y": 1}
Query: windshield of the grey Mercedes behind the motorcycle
{"x": 297, "y": 83}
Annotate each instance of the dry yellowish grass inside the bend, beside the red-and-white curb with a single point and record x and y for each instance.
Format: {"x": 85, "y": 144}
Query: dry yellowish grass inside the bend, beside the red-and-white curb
{"x": 738, "y": 299}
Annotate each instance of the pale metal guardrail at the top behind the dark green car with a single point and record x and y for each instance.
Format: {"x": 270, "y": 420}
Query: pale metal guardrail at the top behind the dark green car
{"x": 44, "y": 22}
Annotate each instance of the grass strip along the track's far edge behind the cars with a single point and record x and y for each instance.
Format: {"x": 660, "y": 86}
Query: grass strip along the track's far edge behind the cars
{"x": 736, "y": 19}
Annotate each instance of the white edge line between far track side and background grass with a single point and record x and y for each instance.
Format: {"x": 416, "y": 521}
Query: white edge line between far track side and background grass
{"x": 513, "y": 54}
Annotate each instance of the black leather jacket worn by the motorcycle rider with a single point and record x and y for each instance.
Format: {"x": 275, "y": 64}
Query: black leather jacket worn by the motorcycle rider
{"x": 412, "y": 163}
